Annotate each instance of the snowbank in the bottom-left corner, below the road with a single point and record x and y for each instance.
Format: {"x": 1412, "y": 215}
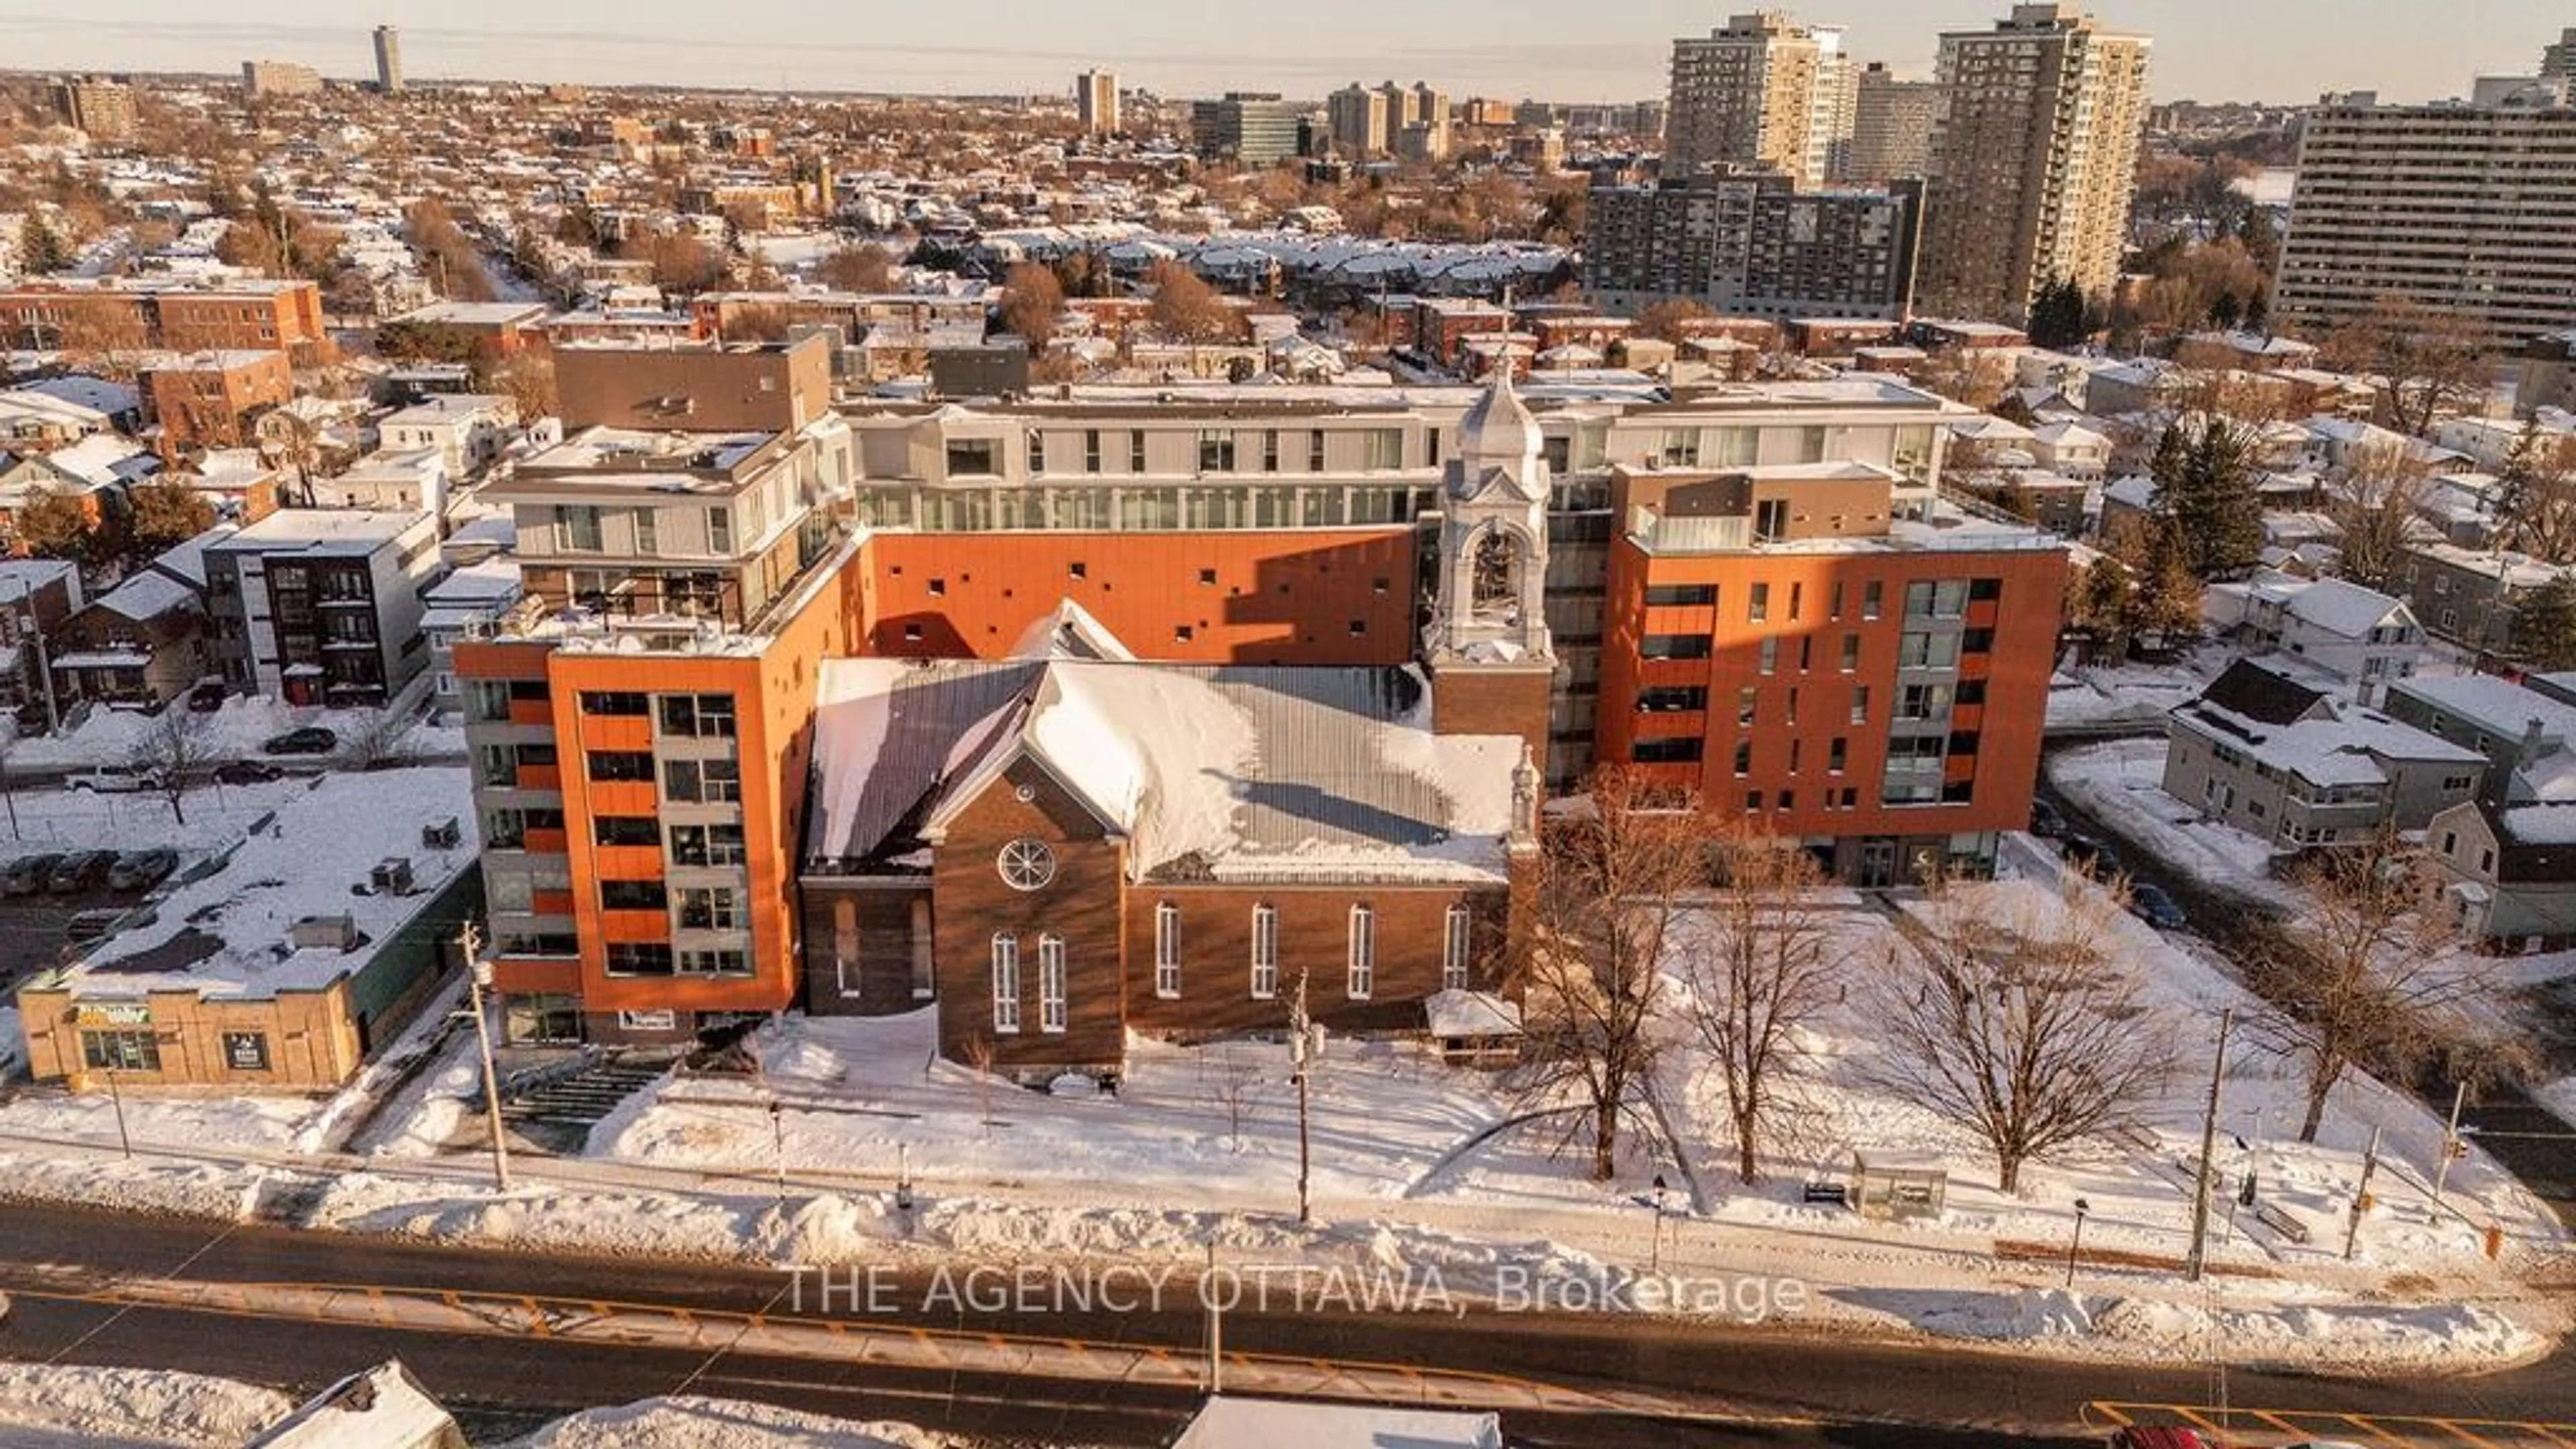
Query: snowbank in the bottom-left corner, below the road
{"x": 130, "y": 1406}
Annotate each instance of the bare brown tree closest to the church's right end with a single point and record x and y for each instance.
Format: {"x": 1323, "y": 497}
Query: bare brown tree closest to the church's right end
{"x": 1606, "y": 896}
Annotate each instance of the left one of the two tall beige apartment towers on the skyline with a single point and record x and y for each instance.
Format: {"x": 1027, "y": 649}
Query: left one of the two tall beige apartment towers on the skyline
{"x": 1761, "y": 92}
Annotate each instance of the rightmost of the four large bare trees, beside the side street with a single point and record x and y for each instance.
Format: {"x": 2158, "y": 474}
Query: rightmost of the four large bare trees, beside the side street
{"x": 2371, "y": 973}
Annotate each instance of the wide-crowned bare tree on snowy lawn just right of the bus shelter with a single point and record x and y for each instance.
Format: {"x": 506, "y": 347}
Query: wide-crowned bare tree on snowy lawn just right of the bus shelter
{"x": 2011, "y": 1017}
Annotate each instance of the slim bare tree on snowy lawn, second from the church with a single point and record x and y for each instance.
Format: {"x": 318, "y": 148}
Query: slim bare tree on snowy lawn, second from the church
{"x": 1761, "y": 973}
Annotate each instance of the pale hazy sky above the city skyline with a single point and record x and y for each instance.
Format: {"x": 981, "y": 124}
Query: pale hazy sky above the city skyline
{"x": 2206, "y": 50}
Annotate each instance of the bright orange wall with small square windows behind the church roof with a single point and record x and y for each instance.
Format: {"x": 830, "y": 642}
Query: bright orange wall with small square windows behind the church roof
{"x": 1325, "y": 597}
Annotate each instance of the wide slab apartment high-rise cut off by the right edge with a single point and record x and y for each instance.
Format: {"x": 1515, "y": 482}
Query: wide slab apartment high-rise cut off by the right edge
{"x": 2461, "y": 208}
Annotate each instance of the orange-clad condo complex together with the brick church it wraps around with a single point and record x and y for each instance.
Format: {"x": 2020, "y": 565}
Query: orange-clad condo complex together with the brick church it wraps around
{"x": 1387, "y": 620}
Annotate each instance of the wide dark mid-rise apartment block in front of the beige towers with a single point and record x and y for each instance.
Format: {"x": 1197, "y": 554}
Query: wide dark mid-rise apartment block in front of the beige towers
{"x": 1753, "y": 246}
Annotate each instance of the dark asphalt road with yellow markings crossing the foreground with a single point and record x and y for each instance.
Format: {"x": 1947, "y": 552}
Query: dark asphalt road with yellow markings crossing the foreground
{"x": 1835, "y": 1391}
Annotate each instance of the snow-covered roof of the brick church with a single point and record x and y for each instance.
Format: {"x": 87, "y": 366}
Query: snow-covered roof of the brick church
{"x": 1230, "y": 772}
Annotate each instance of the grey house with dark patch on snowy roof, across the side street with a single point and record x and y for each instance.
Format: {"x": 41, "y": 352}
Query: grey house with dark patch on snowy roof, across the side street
{"x": 2284, "y": 762}
